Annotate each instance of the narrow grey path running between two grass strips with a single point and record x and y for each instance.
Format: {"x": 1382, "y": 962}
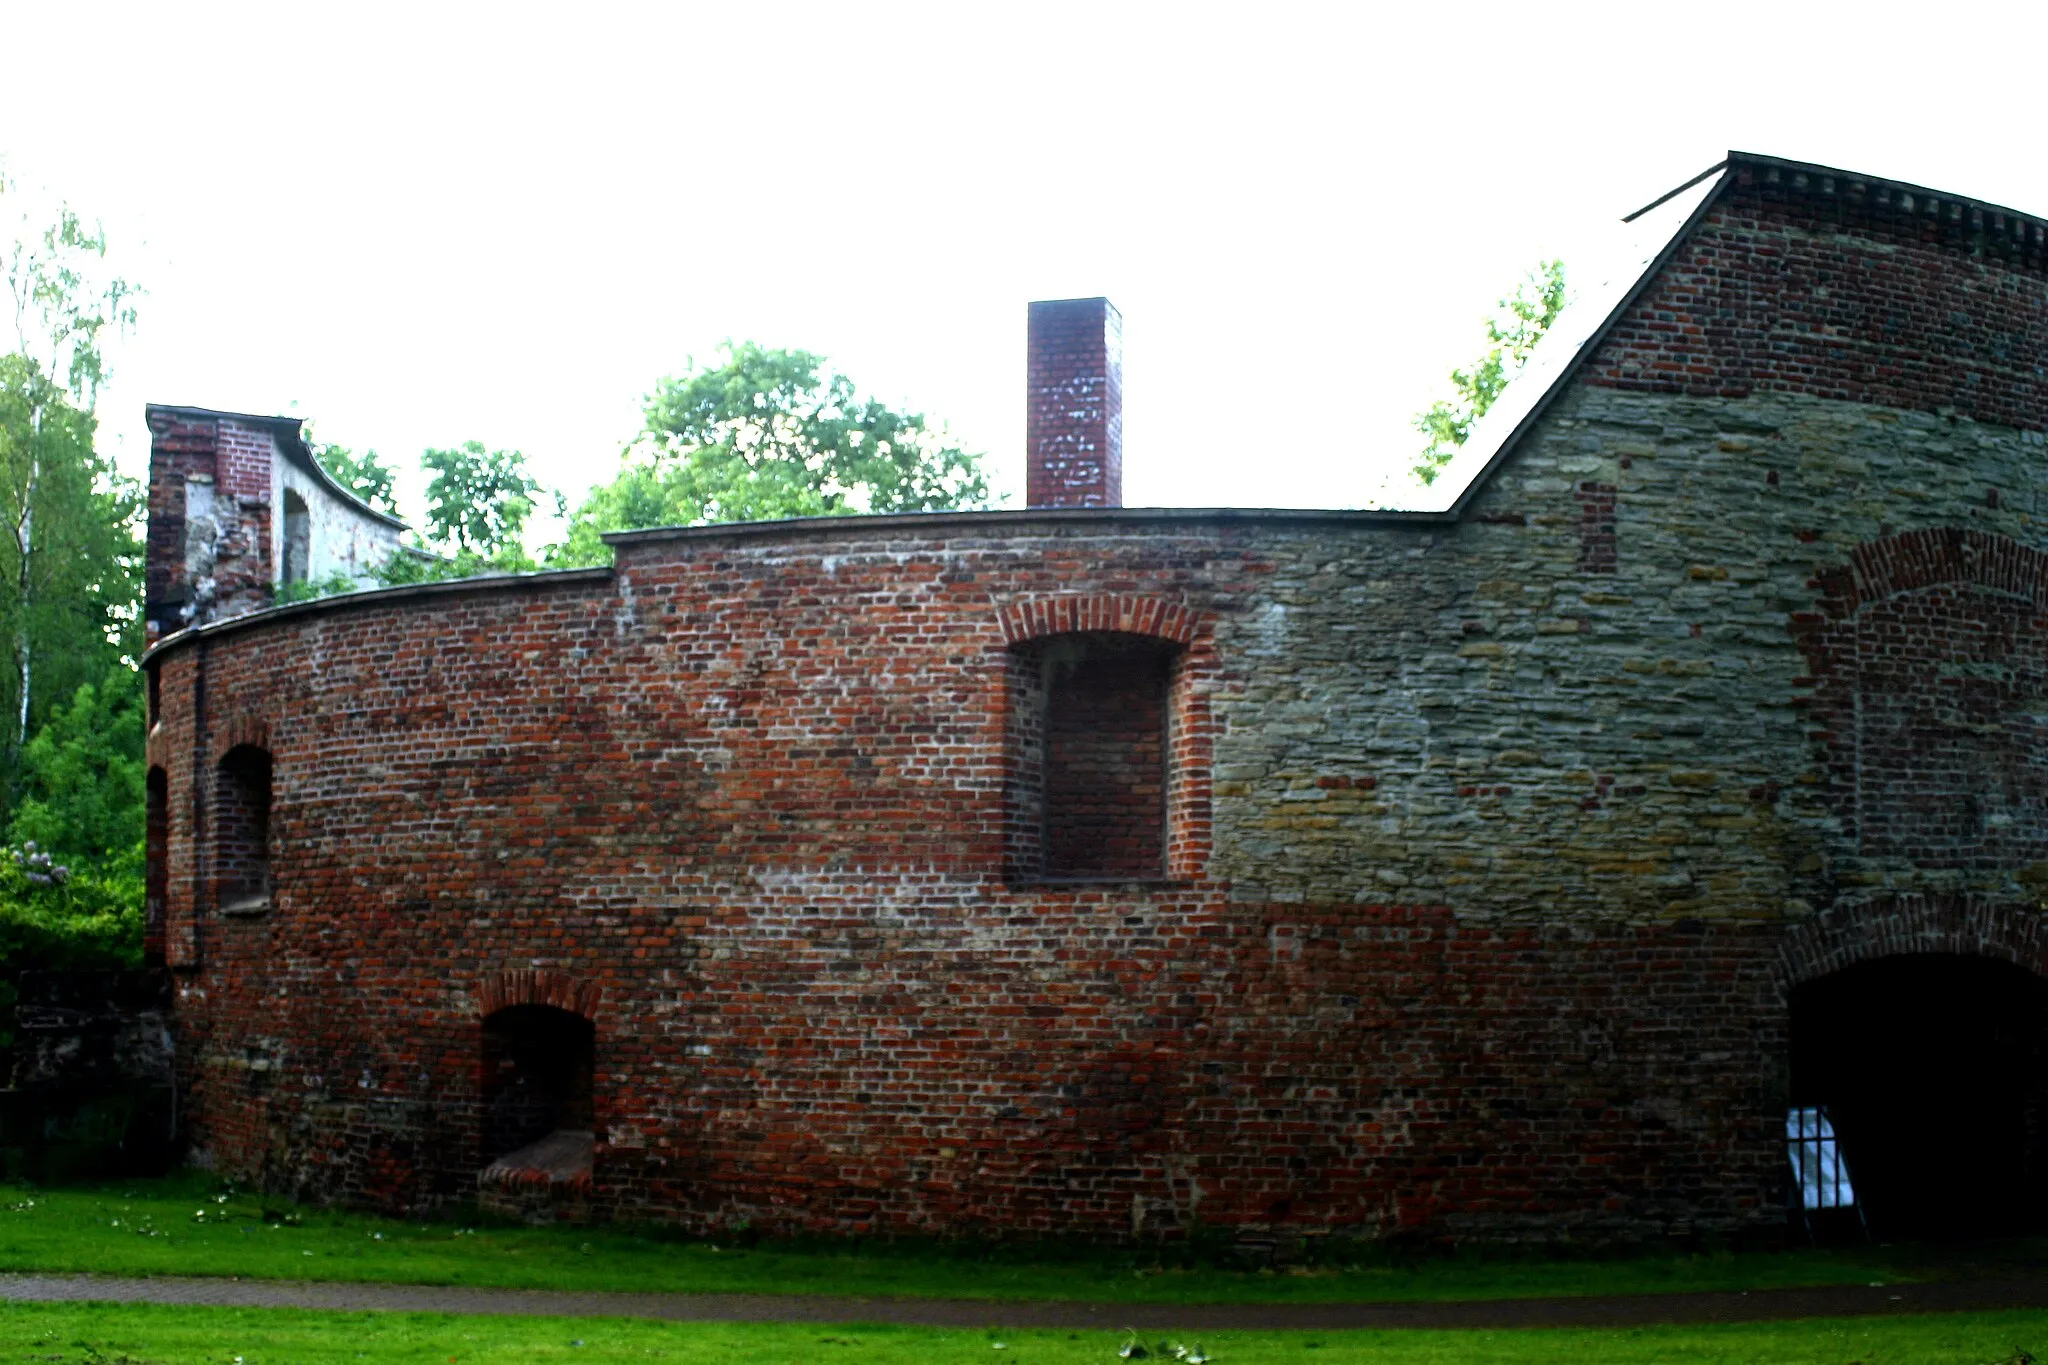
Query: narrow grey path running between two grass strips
{"x": 1594, "y": 1311}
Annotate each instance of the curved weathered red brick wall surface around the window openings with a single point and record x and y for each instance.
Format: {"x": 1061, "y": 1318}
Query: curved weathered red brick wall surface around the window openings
{"x": 744, "y": 809}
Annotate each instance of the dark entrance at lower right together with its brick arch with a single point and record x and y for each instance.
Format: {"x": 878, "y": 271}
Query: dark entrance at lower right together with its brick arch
{"x": 1922, "y": 1026}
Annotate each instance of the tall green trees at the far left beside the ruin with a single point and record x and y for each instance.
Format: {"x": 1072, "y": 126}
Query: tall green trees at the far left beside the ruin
{"x": 71, "y": 609}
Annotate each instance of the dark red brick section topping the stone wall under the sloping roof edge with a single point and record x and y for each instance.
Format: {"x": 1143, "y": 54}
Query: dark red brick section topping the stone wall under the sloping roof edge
{"x": 1840, "y": 298}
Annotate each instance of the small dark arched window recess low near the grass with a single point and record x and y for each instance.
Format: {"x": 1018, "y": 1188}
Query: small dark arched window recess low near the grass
{"x": 538, "y": 1077}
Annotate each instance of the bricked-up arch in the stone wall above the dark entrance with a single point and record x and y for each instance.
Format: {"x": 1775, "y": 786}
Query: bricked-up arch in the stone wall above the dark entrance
{"x": 1928, "y": 709}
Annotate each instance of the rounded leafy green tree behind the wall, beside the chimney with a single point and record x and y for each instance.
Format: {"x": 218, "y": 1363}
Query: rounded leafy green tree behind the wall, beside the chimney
{"x": 769, "y": 435}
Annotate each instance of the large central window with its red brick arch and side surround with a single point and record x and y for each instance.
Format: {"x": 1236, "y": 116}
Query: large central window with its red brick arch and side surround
{"x": 1111, "y": 640}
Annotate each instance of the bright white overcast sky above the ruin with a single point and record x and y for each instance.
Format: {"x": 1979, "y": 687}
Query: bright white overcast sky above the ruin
{"x": 429, "y": 224}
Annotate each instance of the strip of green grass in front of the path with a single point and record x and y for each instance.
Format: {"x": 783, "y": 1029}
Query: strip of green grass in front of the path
{"x": 136, "y": 1335}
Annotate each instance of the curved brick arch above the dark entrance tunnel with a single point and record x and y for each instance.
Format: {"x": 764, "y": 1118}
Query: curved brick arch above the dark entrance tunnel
{"x": 1900, "y": 926}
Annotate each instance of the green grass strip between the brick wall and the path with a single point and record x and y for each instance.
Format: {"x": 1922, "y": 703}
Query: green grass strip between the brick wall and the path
{"x": 189, "y": 1225}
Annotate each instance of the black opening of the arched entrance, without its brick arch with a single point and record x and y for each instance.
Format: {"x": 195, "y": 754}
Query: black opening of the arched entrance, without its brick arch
{"x": 1932, "y": 1071}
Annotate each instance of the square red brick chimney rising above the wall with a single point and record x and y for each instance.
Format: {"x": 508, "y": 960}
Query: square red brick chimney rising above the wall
{"x": 1074, "y": 406}
